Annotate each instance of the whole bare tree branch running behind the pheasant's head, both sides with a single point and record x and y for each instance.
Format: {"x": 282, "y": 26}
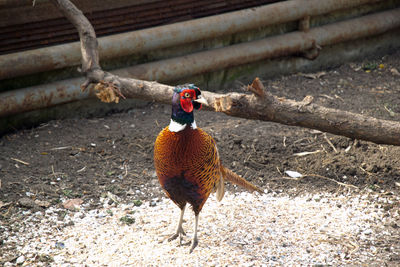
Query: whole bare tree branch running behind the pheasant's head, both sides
{"x": 260, "y": 105}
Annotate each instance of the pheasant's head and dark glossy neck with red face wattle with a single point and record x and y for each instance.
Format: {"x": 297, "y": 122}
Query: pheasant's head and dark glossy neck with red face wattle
{"x": 186, "y": 98}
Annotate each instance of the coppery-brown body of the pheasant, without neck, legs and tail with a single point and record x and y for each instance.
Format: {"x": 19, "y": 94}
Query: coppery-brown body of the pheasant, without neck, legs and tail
{"x": 187, "y": 166}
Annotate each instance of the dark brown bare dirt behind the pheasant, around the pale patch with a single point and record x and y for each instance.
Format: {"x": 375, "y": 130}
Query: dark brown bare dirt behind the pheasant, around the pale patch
{"x": 86, "y": 158}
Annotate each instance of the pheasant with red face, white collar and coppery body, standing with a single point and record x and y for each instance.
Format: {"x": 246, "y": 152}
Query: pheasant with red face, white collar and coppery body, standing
{"x": 187, "y": 162}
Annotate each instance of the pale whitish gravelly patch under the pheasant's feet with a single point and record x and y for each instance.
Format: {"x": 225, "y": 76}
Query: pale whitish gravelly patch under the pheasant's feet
{"x": 273, "y": 229}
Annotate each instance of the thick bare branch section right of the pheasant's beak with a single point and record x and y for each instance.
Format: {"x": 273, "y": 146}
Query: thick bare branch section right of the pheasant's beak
{"x": 310, "y": 115}
